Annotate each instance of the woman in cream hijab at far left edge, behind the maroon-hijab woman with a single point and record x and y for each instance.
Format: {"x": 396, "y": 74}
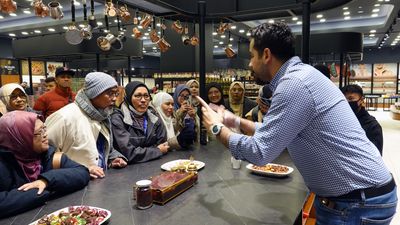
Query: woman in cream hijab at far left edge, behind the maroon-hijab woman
{"x": 14, "y": 97}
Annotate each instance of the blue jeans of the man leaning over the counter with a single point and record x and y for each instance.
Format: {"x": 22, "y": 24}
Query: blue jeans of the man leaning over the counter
{"x": 376, "y": 210}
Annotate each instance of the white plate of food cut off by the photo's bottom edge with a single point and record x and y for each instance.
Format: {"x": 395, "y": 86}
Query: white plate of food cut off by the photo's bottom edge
{"x": 79, "y": 215}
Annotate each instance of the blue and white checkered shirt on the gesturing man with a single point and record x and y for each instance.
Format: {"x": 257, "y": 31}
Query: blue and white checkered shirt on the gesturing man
{"x": 311, "y": 118}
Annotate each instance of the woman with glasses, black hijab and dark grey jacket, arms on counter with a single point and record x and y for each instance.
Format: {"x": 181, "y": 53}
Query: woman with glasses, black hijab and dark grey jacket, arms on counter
{"x": 139, "y": 133}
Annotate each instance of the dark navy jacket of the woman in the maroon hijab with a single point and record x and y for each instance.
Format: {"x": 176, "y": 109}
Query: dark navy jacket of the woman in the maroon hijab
{"x": 69, "y": 178}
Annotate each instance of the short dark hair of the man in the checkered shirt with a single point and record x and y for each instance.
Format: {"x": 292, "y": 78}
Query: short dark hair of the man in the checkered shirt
{"x": 277, "y": 37}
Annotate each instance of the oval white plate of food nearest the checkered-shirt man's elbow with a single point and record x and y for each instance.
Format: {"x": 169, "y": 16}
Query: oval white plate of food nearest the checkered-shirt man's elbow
{"x": 271, "y": 169}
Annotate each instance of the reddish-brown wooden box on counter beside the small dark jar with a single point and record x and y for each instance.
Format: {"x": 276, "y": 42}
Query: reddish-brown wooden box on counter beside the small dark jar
{"x": 168, "y": 185}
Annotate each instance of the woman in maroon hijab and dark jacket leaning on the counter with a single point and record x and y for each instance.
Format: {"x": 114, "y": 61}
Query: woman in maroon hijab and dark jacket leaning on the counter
{"x": 28, "y": 178}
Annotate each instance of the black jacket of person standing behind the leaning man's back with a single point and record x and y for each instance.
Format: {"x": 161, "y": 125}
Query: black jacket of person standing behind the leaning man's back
{"x": 371, "y": 128}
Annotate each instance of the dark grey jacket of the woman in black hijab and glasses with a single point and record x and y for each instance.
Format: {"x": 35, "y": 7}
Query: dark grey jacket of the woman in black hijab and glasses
{"x": 130, "y": 139}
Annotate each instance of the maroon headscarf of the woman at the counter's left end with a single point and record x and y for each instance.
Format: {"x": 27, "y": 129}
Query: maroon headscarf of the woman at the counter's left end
{"x": 16, "y": 135}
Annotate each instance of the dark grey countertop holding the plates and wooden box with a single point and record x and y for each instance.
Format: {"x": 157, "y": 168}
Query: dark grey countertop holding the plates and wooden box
{"x": 221, "y": 196}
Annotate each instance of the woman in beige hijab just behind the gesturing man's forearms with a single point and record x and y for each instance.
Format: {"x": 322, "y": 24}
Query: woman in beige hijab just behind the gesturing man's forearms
{"x": 238, "y": 103}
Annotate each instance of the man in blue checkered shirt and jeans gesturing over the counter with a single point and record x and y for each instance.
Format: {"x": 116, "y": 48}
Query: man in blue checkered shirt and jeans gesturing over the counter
{"x": 311, "y": 118}
